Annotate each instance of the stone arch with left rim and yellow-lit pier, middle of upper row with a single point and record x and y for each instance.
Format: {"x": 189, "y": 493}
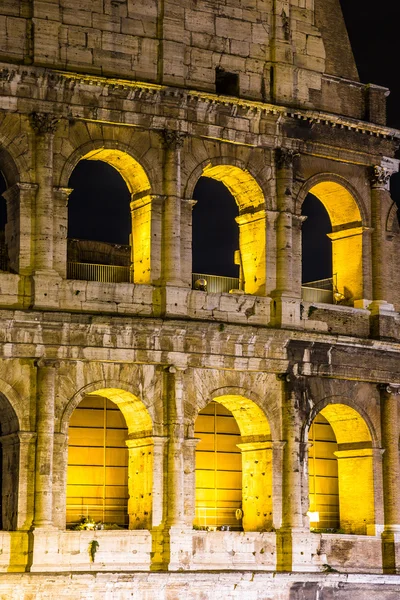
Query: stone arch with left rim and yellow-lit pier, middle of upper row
{"x": 249, "y": 197}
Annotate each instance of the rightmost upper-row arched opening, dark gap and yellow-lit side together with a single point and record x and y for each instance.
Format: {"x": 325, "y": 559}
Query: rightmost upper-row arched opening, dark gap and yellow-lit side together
{"x": 340, "y": 266}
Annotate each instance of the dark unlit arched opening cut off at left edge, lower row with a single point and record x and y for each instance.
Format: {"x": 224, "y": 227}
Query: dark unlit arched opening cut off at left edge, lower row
{"x": 10, "y": 466}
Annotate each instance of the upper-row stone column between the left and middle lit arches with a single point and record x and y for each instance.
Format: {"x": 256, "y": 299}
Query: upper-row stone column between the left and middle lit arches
{"x": 172, "y": 142}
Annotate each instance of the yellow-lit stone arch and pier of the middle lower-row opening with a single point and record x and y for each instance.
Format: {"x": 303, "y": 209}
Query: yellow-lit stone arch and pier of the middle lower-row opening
{"x": 256, "y": 456}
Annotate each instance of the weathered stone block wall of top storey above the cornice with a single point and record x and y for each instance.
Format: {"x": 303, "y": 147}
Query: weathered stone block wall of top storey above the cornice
{"x": 278, "y": 51}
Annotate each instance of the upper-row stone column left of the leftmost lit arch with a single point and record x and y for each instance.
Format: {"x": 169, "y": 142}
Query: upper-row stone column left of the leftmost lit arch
{"x": 44, "y": 126}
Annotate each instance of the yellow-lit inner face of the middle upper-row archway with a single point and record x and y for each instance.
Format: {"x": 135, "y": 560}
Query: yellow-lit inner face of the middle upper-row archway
{"x": 249, "y": 199}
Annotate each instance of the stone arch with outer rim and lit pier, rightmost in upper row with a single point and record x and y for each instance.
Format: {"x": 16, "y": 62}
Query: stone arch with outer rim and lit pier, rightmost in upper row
{"x": 348, "y": 218}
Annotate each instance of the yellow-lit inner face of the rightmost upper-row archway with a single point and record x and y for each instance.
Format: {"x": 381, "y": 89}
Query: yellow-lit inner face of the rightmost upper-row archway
{"x": 346, "y": 237}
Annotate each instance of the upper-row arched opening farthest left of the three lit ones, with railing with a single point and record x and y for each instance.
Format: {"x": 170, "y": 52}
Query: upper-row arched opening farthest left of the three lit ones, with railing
{"x": 108, "y": 227}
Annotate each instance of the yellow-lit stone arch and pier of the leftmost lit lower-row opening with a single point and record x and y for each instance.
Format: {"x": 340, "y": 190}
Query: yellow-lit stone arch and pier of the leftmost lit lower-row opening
{"x": 140, "y": 443}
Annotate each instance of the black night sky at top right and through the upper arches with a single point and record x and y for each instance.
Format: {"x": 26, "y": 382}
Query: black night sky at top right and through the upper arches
{"x": 373, "y": 35}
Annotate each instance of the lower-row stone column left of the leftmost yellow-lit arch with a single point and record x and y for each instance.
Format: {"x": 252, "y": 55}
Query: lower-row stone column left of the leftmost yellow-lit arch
{"x": 45, "y": 382}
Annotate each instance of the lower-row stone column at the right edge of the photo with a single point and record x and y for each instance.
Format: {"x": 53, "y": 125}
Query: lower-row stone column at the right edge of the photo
{"x": 391, "y": 477}
